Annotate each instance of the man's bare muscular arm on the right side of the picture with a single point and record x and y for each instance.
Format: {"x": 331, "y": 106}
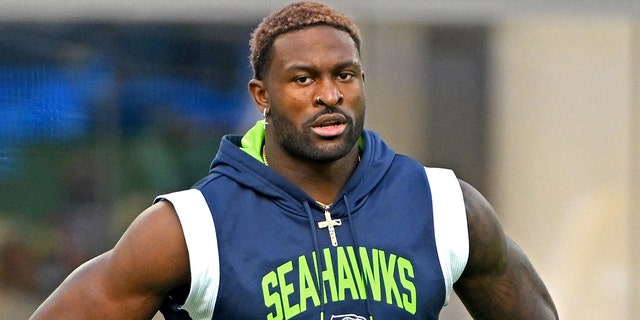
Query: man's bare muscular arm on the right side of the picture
{"x": 499, "y": 282}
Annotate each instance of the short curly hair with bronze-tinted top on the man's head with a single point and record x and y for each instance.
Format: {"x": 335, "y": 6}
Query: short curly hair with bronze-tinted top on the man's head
{"x": 295, "y": 16}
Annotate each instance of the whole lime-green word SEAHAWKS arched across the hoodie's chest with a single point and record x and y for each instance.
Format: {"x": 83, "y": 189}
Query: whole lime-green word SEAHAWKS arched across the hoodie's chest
{"x": 351, "y": 277}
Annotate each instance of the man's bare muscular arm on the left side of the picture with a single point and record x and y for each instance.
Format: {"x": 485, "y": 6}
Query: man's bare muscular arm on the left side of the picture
{"x": 130, "y": 281}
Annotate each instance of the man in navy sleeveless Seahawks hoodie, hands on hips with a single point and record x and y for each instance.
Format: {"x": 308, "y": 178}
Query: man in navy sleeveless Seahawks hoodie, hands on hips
{"x": 308, "y": 216}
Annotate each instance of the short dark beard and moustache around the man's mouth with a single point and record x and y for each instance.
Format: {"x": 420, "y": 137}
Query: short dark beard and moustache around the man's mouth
{"x": 298, "y": 143}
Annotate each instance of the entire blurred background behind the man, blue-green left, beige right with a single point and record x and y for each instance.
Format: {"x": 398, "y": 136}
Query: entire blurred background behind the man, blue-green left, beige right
{"x": 104, "y": 104}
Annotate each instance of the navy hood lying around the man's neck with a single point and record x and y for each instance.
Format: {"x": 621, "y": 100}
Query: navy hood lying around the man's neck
{"x": 239, "y": 165}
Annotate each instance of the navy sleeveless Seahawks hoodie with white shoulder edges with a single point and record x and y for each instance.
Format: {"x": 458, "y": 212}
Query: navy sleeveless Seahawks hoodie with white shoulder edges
{"x": 257, "y": 251}
